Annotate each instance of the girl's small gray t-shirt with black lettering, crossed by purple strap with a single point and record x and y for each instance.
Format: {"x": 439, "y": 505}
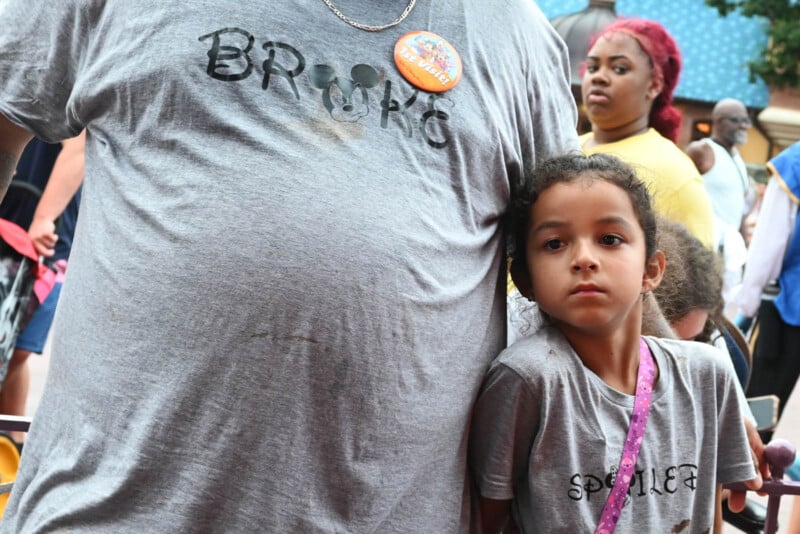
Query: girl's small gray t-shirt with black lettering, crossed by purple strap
{"x": 549, "y": 433}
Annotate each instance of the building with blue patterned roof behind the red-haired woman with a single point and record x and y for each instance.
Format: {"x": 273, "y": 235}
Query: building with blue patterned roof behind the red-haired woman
{"x": 715, "y": 52}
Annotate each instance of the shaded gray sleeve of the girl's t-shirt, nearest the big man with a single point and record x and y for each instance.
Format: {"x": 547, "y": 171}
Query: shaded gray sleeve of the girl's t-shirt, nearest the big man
{"x": 504, "y": 423}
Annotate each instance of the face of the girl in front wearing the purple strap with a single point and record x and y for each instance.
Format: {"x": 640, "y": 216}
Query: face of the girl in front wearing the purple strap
{"x": 586, "y": 255}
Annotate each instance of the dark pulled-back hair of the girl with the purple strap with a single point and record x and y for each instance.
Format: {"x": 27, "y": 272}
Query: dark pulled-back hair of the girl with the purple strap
{"x": 575, "y": 167}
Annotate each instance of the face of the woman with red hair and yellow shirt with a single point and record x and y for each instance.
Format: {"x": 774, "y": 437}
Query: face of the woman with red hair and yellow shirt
{"x": 618, "y": 85}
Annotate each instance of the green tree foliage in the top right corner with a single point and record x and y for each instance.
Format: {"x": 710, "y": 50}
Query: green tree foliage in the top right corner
{"x": 780, "y": 64}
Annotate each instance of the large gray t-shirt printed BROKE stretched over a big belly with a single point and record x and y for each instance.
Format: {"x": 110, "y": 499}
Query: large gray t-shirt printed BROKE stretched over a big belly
{"x": 286, "y": 282}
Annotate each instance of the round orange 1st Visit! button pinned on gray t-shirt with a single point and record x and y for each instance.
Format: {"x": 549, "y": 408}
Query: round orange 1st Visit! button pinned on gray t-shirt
{"x": 427, "y": 61}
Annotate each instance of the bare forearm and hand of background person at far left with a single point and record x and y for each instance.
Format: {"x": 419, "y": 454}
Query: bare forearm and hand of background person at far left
{"x": 65, "y": 179}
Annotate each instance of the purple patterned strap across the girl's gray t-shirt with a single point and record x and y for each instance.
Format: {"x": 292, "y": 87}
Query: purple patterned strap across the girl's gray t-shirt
{"x": 641, "y": 411}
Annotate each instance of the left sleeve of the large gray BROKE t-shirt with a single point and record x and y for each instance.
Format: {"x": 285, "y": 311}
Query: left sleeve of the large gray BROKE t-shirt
{"x": 41, "y": 42}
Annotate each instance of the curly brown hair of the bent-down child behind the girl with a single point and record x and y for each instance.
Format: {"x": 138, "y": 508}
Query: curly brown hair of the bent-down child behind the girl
{"x": 692, "y": 278}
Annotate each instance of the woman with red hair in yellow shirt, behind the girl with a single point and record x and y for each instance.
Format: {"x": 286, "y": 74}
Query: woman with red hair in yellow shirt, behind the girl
{"x": 630, "y": 73}
